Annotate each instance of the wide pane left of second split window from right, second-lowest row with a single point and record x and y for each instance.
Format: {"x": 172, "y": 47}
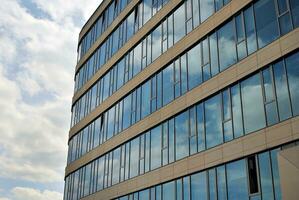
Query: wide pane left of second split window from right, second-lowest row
{"x": 213, "y": 121}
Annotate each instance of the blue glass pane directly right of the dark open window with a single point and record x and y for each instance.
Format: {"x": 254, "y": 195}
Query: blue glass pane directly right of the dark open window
{"x": 266, "y": 176}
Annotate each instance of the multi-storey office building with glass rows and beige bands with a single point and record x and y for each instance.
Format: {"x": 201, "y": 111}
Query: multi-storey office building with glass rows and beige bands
{"x": 186, "y": 100}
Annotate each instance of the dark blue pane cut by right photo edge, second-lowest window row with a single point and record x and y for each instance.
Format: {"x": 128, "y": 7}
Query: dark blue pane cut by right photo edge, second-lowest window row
{"x": 292, "y": 64}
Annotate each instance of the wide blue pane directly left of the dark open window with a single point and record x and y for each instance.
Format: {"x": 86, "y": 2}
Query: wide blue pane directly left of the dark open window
{"x": 237, "y": 187}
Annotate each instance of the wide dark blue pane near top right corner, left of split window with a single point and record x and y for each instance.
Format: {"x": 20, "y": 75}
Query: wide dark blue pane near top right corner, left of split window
{"x": 266, "y": 22}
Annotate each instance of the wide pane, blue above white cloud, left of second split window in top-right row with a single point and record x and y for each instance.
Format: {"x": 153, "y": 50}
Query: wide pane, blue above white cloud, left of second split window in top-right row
{"x": 227, "y": 48}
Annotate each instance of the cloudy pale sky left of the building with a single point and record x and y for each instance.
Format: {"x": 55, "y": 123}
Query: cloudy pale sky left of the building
{"x": 38, "y": 50}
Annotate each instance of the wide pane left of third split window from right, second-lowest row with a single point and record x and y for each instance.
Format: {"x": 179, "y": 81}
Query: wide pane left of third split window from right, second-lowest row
{"x": 182, "y": 135}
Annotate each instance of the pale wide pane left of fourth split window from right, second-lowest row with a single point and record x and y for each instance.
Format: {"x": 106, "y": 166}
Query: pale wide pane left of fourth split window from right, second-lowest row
{"x": 156, "y": 147}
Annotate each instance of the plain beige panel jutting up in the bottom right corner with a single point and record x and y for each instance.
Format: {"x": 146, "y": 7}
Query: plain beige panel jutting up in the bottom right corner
{"x": 288, "y": 164}
